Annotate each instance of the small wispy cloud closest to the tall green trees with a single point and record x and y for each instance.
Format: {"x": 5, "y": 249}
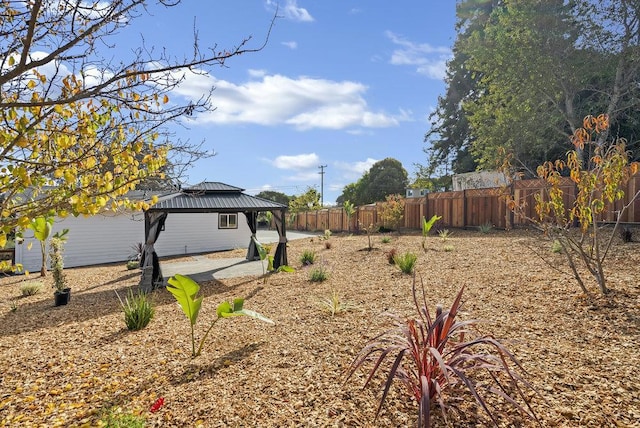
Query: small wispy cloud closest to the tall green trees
{"x": 430, "y": 61}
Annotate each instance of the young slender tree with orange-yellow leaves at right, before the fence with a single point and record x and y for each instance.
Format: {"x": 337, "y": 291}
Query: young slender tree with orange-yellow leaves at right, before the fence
{"x": 599, "y": 171}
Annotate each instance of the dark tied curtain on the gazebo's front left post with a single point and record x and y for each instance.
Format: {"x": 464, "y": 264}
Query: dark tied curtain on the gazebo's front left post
{"x": 149, "y": 263}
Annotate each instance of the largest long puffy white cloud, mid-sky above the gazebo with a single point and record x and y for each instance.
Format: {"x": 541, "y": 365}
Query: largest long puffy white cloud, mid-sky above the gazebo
{"x": 270, "y": 100}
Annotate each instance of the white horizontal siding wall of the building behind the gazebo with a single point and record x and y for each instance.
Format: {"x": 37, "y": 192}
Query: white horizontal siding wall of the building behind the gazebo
{"x": 109, "y": 238}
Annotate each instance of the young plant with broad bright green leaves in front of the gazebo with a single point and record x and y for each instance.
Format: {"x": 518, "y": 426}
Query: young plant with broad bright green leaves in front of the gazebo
{"x": 185, "y": 290}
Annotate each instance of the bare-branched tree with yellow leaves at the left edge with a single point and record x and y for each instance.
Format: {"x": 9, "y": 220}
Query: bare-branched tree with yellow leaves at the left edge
{"x": 77, "y": 130}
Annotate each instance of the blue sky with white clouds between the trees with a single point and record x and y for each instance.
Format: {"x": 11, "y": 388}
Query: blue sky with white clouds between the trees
{"x": 340, "y": 83}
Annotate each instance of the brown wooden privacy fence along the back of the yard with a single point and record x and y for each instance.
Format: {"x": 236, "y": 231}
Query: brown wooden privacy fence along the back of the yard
{"x": 462, "y": 209}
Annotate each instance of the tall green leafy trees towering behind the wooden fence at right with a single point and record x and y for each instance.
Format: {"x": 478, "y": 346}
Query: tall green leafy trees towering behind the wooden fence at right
{"x": 538, "y": 67}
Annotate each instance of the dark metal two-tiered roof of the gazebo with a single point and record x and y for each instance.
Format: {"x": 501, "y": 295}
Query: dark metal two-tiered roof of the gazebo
{"x": 214, "y": 197}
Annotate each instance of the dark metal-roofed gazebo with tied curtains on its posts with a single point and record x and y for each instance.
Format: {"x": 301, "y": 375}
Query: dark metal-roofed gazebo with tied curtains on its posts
{"x": 208, "y": 197}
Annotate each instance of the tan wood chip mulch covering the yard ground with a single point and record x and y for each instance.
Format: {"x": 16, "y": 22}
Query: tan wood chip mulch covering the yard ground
{"x": 68, "y": 365}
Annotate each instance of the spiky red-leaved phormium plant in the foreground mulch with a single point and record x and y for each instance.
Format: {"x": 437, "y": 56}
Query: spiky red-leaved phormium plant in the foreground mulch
{"x": 430, "y": 356}
